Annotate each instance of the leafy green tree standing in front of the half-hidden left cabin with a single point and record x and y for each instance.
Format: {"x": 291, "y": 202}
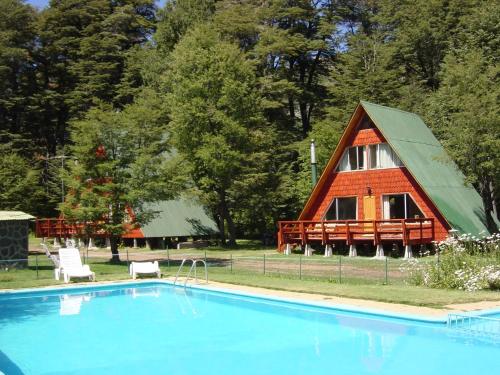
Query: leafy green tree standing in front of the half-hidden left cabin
{"x": 121, "y": 163}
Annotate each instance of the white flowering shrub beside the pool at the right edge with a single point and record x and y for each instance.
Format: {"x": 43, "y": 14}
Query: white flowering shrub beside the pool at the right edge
{"x": 466, "y": 262}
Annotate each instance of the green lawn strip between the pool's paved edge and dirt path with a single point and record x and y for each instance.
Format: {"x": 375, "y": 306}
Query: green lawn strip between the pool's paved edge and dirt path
{"x": 351, "y": 287}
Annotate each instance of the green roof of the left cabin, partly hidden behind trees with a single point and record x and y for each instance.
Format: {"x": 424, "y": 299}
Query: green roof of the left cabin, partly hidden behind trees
{"x": 179, "y": 218}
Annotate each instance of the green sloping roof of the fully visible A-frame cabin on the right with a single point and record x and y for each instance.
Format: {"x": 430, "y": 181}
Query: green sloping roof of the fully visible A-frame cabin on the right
{"x": 433, "y": 169}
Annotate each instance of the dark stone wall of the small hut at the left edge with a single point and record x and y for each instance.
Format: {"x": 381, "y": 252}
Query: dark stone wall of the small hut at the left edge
{"x": 13, "y": 242}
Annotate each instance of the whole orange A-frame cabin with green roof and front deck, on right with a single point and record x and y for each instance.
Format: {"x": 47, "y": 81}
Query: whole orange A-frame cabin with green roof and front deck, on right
{"x": 388, "y": 182}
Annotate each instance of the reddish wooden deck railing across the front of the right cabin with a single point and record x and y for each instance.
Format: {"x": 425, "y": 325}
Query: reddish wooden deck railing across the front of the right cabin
{"x": 305, "y": 232}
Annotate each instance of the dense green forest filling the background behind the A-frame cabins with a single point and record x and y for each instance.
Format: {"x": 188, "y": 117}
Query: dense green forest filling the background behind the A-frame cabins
{"x": 218, "y": 100}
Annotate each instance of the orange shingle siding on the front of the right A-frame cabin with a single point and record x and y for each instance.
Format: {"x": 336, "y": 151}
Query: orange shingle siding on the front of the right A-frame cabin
{"x": 381, "y": 182}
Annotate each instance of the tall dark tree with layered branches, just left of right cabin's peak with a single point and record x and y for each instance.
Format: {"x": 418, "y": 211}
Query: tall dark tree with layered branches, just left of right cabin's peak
{"x": 294, "y": 42}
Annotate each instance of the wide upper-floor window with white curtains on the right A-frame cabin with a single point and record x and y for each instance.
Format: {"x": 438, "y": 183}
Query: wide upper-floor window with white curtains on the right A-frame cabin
{"x": 377, "y": 156}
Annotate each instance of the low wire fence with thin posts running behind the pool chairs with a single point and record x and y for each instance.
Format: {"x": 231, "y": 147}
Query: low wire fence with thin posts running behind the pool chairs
{"x": 337, "y": 268}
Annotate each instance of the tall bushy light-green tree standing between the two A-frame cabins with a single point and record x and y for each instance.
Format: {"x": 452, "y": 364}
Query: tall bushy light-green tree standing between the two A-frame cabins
{"x": 217, "y": 121}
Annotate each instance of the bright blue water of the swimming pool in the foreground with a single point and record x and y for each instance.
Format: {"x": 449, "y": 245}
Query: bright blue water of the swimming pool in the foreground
{"x": 158, "y": 329}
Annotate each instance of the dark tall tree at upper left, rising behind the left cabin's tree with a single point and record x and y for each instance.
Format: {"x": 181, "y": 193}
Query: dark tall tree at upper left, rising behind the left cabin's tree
{"x": 83, "y": 49}
